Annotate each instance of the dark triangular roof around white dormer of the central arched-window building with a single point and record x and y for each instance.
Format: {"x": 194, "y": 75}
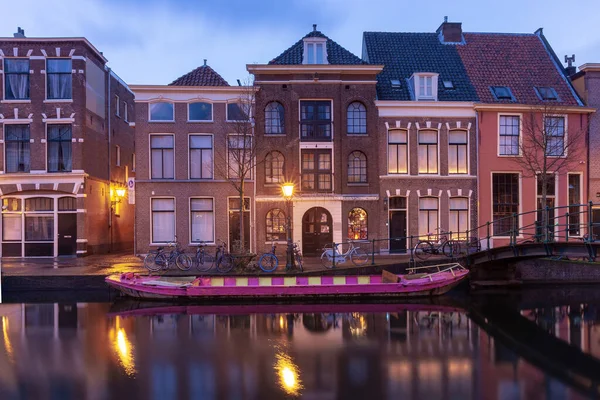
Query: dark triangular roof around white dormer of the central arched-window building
{"x": 336, "y": 54}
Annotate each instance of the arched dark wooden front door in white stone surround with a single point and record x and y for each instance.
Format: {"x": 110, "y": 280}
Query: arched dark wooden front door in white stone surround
{"x": 317, "y": 231}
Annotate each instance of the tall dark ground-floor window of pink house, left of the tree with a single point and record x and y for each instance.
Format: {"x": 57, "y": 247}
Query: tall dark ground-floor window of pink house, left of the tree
{"x": 505, "y": 202}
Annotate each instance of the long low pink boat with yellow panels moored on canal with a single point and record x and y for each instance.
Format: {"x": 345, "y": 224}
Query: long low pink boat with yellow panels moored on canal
{"x": 436, "y": 281}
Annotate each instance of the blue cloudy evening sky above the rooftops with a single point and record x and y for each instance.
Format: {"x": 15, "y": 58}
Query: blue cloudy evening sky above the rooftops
{"x": 156, "y": 41}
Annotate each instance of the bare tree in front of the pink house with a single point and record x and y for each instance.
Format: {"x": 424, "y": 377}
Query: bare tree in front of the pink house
{"x": 548, "y": 147}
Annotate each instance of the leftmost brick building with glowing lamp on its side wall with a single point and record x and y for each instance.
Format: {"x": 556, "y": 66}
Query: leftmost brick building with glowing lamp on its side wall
{"x": 66, "y": 149}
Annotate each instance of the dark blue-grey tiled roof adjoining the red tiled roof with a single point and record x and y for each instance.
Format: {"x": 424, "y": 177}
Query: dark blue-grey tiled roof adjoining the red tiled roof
{"x": 403, "y": 54}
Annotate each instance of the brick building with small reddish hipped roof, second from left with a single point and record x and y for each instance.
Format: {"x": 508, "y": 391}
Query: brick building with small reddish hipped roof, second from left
{"x": 184, "y": 132}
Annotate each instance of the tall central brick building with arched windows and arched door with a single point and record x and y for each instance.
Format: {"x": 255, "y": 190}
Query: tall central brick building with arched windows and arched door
{"x": 316, "y": 121}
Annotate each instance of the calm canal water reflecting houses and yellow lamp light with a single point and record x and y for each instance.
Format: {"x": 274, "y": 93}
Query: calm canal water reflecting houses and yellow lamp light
{"x": 130, "y": 350}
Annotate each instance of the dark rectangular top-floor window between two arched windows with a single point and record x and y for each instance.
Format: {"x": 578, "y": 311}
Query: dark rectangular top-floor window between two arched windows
{"x": 315, "y": 120}
